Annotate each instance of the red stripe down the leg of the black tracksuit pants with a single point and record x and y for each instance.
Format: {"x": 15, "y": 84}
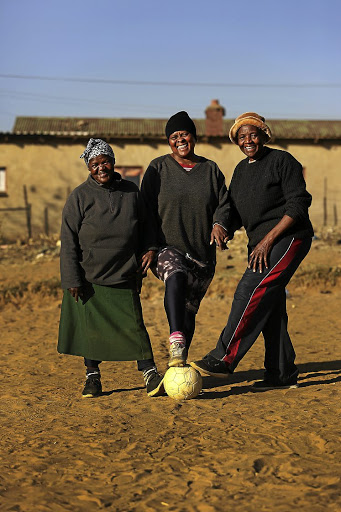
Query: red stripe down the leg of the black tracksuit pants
{"x": 257, "y": 295}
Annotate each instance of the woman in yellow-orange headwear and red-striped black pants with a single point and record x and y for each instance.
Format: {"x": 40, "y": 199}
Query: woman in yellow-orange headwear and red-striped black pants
{"x": 268, "y": 197}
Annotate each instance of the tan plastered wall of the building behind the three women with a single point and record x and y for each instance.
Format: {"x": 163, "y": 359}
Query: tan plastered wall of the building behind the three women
{"x": 51, "y": 171}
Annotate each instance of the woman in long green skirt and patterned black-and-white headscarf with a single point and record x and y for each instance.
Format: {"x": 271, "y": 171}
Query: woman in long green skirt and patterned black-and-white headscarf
{"x": 101, "y": 241}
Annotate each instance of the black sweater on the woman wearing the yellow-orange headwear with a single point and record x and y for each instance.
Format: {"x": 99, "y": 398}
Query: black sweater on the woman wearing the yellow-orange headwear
{"x": 262, "y": 192}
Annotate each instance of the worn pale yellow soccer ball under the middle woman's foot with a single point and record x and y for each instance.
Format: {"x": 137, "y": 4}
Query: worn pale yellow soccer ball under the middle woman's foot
{"x": 182, "y": 382}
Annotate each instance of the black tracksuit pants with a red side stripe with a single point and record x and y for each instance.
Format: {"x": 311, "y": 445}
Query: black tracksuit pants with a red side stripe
{"x": 259, "y": 305}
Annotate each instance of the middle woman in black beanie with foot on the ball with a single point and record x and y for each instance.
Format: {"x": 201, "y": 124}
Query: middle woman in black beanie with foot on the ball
{"x": 186, "y": 199}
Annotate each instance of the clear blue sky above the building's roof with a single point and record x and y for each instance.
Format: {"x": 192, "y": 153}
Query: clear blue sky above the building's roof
{"x": 244, "y": 52}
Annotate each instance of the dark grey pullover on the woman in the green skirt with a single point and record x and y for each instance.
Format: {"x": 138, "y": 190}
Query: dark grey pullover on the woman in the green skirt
{"x": 101, "y": 234}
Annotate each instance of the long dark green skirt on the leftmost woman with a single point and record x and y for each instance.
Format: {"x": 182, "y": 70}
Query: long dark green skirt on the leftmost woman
{"x": 105, "y": 325}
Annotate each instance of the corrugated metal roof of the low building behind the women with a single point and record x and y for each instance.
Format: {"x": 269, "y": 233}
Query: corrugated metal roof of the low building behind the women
{"x": 154, "y": 128}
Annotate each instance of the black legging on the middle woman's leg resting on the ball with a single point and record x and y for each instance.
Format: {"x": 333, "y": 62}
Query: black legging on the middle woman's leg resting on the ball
{"x": 179, "y": 318}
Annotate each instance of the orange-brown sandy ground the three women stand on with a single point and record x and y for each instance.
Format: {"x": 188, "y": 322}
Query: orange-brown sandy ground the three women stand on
{"x": 228, "y": 449}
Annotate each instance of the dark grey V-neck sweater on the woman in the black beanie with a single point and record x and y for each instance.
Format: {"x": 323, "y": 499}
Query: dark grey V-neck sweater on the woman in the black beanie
{"x": 184, "y": 205}
